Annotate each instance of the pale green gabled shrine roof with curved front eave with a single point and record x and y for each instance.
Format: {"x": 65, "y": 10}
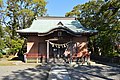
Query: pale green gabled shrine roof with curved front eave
{"x": 47, "y": 24}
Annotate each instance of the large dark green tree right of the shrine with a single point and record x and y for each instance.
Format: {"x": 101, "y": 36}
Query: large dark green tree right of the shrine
{"x": 103, "y": 16}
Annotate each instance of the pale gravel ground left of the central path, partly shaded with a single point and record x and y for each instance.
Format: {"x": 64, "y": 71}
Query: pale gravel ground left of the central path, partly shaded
{"x": 24, "y": 72}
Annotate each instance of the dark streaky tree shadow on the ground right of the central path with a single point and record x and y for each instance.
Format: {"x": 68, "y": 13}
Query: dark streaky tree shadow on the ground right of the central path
{"x": 94, "y": 72}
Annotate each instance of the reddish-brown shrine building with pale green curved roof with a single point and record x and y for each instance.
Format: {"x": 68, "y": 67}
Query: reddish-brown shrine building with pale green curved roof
{"x": 48, "y": 36}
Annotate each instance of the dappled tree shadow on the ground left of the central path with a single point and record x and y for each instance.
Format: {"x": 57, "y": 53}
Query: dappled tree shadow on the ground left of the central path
{"x": 40, "y": 72}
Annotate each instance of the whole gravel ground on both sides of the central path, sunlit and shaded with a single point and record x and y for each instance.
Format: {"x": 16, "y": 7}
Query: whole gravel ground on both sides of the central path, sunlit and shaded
{"x": 28, "y": 71}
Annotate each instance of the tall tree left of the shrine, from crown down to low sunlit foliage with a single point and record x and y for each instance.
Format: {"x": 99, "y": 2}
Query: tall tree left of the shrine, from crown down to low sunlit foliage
{"x": 19, "y": 14}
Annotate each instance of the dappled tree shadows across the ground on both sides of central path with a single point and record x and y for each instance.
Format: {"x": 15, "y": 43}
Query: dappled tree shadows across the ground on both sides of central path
{"x": 41, "y": 72}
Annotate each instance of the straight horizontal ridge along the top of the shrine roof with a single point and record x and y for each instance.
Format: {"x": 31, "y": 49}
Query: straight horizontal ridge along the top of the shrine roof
{"x": 56, "y": 18}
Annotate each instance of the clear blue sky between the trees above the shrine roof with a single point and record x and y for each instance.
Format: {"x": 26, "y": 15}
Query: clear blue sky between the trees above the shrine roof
{"x": 60, "y": 7}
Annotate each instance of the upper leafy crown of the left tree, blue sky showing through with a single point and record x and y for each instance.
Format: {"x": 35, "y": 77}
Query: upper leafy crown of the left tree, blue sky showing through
{"x": 21, "y": 13}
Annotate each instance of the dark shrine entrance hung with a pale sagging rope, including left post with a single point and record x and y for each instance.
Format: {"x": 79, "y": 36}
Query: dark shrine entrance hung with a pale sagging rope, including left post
{"x": 56, "y": 48}
